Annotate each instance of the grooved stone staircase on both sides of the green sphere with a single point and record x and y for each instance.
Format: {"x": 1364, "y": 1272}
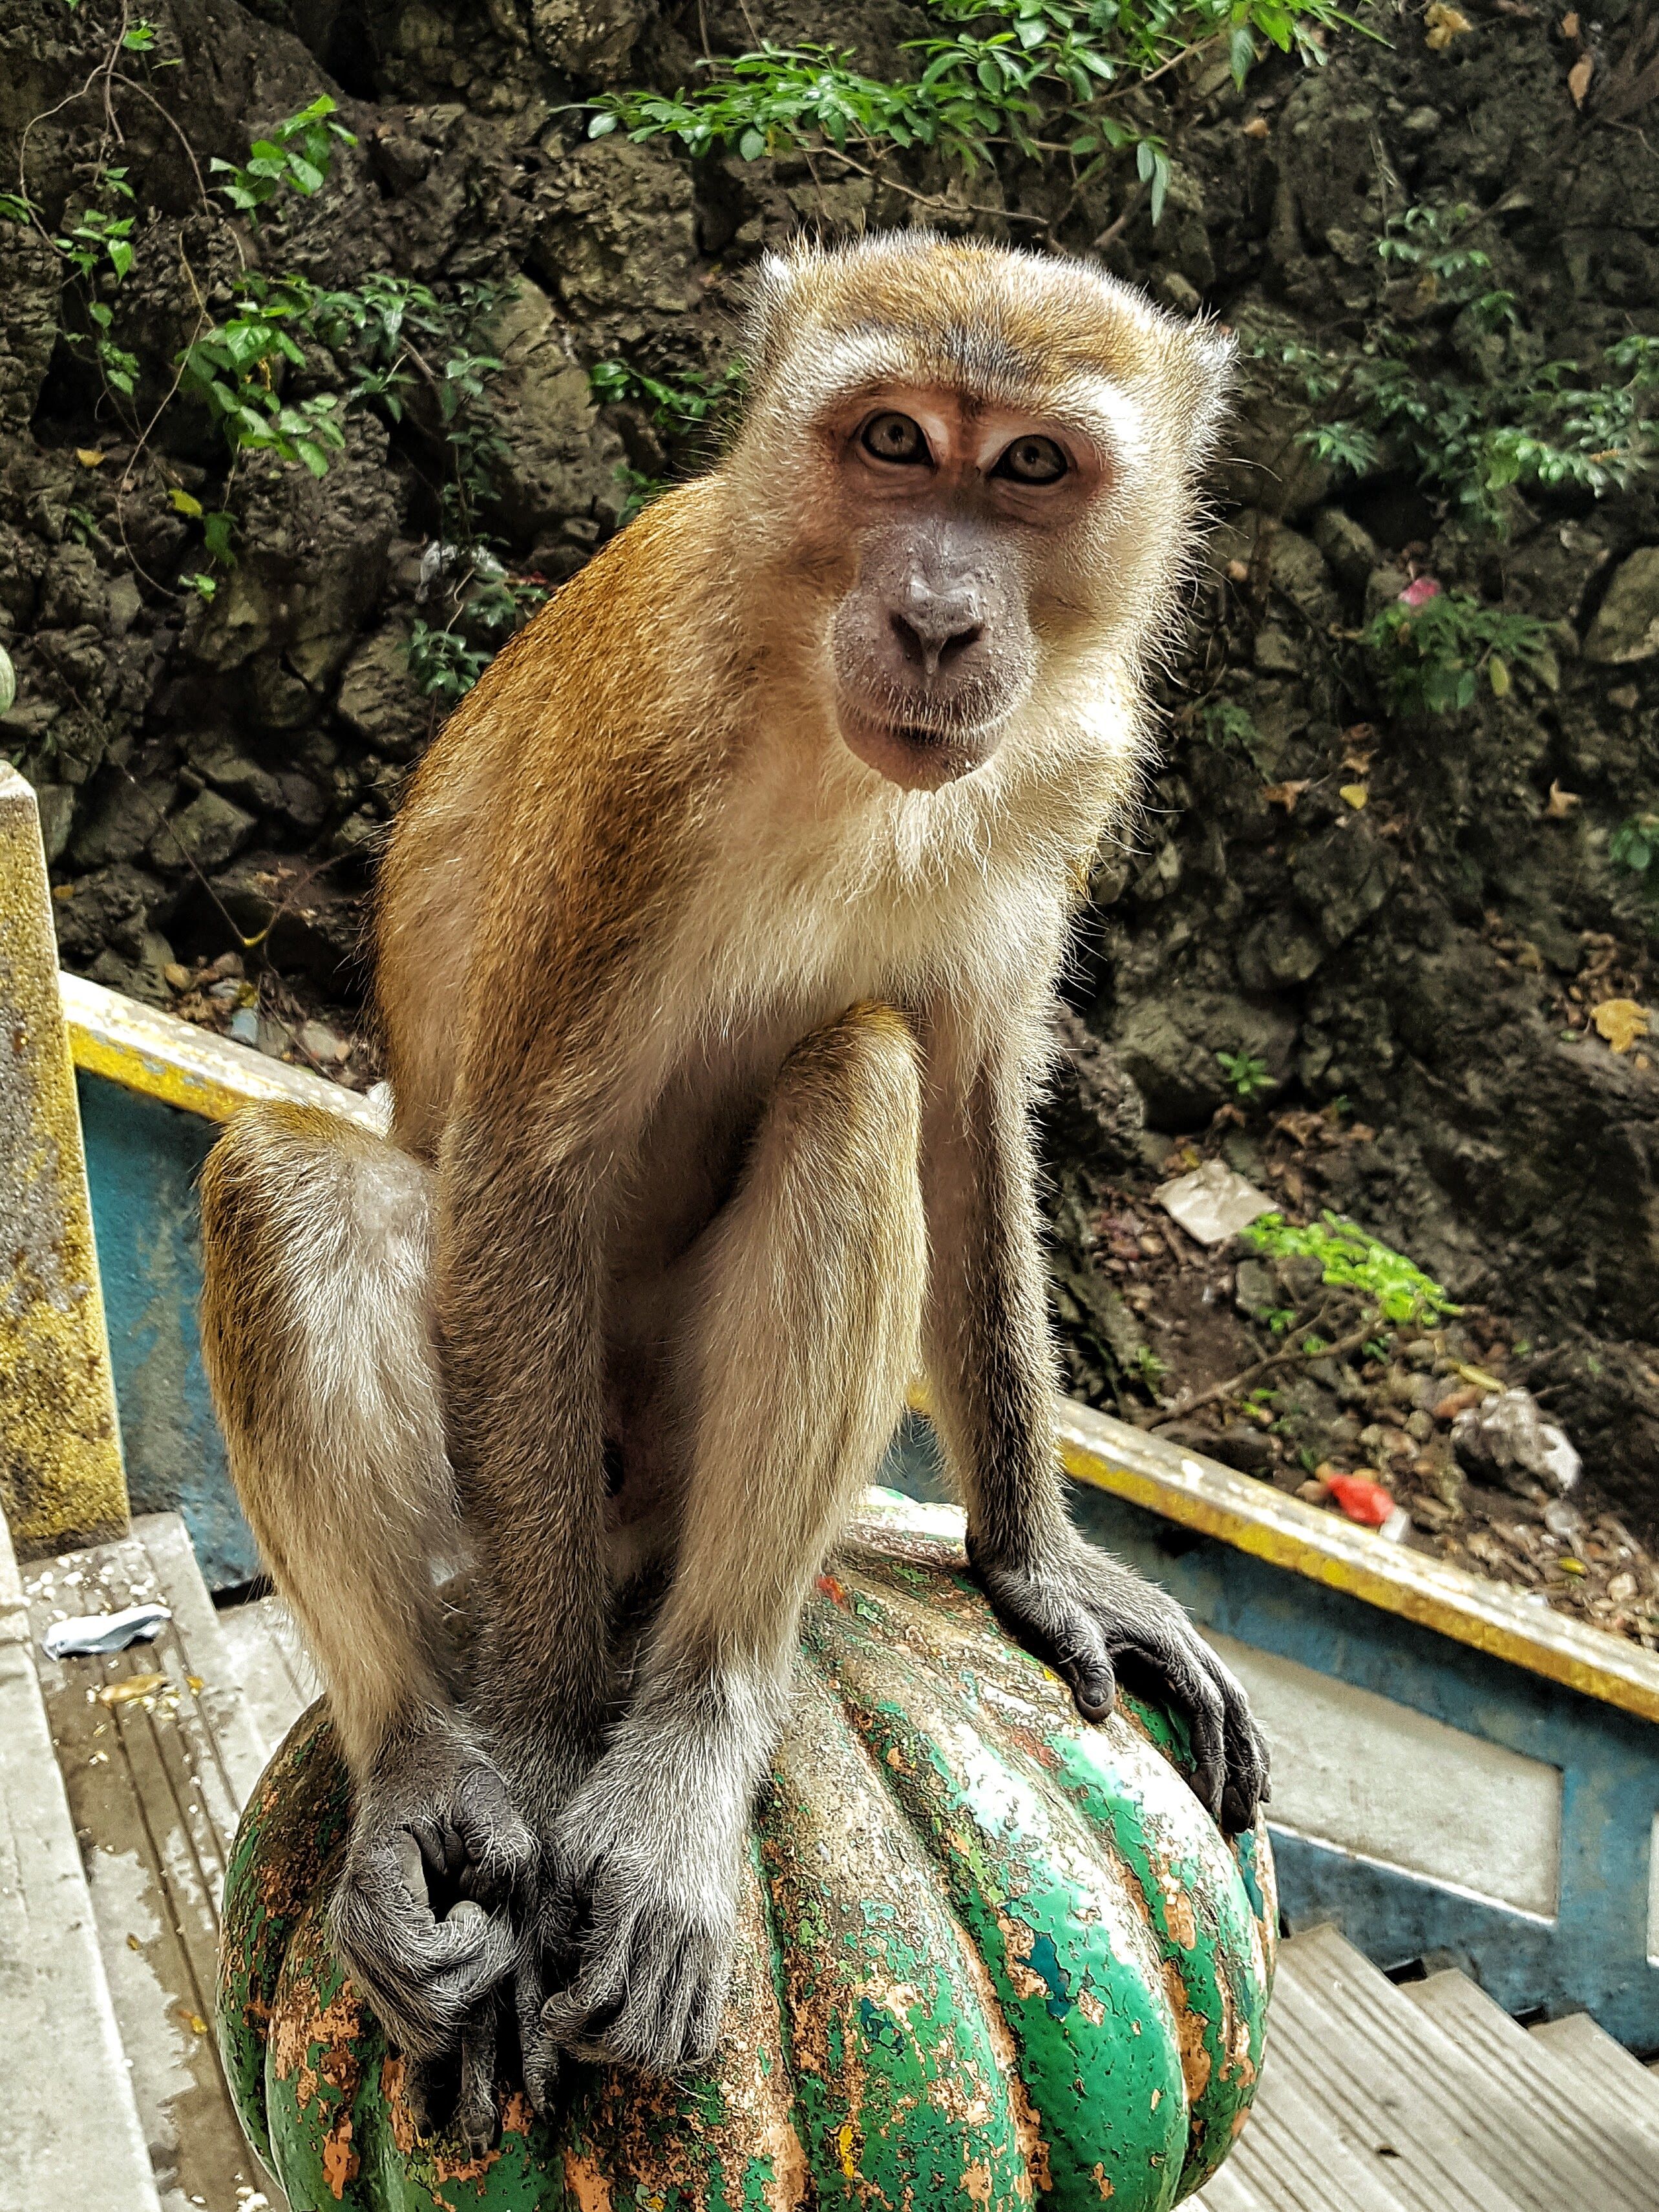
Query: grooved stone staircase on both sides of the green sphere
{"x": 1375, "y": 2096}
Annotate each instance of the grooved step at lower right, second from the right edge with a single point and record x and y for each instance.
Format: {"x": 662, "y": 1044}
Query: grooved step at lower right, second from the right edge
{"x": 1587, "y": 2133}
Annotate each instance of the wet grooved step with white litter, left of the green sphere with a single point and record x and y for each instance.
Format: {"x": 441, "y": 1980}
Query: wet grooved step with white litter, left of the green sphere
{"x": 156, "y": 1782}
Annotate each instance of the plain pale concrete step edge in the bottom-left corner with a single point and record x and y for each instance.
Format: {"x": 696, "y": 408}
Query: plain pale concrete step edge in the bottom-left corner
{"x": 70, "y": 2125}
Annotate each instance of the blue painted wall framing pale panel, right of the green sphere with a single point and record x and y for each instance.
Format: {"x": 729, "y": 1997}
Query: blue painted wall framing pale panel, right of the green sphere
{"x": 1594, "y": 1957}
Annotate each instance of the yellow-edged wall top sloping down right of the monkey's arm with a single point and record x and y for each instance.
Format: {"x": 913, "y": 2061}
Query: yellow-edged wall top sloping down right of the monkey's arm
{"x": 1308, "y": 1541}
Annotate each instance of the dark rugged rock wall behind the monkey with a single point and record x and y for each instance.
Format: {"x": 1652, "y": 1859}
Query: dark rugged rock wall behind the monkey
{"x": 1426, "y": 957}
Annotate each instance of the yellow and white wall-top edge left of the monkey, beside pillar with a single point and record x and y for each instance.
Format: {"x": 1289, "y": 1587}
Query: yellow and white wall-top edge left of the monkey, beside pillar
{"x": 180, "y": 1065}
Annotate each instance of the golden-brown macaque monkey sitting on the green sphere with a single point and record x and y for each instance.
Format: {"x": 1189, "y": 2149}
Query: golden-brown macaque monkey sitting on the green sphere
{"x": 716, "y": 954}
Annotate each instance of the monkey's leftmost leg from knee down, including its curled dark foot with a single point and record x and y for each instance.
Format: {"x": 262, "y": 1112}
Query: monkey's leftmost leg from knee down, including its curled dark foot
{"x": 315, "y": 1337}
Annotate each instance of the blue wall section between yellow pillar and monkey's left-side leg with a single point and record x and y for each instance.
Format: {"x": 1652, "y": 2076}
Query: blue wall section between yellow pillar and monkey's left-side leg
{"x": 143, "y": 1165}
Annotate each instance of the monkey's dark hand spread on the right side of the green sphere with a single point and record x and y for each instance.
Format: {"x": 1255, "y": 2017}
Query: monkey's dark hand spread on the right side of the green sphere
{"x": 1098, "y": 1623}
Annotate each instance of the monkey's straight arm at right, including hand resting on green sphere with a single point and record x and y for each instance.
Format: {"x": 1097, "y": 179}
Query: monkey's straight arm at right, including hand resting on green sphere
{"x": 992, "y": 1375}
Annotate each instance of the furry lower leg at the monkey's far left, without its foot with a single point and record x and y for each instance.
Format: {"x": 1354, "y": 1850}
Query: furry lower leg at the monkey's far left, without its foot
{"x": 315, "y": 1333}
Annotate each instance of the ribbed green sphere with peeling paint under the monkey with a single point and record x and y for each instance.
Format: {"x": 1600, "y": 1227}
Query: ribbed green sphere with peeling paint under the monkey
{"x": 990, "y": 1957}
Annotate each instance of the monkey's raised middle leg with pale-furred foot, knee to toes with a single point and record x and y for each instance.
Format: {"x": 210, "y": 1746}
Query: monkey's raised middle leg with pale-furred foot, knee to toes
{"x": 806, "y": 1335}
